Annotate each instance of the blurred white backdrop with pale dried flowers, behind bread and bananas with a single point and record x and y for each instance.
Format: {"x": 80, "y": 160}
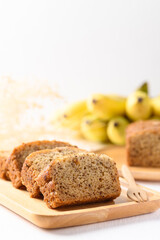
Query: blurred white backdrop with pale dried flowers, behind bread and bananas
{"x": 55, "y": 51}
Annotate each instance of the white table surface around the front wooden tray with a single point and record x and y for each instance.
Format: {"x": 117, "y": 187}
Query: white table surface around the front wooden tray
{"x": 144, "y": 227}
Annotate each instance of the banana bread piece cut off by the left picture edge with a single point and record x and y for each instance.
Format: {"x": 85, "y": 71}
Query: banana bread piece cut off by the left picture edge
{"x": 4, "y": 155}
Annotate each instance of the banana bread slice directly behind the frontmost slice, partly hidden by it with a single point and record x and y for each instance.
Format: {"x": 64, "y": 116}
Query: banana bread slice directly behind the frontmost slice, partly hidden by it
{"x": 36, "y": 162}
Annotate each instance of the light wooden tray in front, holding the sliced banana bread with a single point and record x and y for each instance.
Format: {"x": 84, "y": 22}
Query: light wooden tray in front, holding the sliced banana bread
{"x": 36, "y": 211}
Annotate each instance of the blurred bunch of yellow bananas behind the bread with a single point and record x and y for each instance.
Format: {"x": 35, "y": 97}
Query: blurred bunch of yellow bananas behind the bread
{"x": 104, "y": 118}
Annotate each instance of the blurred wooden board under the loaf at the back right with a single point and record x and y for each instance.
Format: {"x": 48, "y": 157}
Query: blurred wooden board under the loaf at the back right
{"x": 139, "y": 173}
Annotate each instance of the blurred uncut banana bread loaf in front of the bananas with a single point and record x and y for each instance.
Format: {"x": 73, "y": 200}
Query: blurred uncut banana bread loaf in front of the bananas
{"x": 143, "y": 143}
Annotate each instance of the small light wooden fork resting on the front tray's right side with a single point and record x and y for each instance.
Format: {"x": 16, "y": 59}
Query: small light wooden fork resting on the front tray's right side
{"x": 134, "y": 192}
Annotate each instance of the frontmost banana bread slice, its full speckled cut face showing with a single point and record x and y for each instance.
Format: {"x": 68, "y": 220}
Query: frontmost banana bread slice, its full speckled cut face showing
{"x": 78, "y": 178}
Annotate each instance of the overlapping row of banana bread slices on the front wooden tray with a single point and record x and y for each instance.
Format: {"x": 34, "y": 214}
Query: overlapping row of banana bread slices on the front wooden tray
{"x": 63, "y": 174}
